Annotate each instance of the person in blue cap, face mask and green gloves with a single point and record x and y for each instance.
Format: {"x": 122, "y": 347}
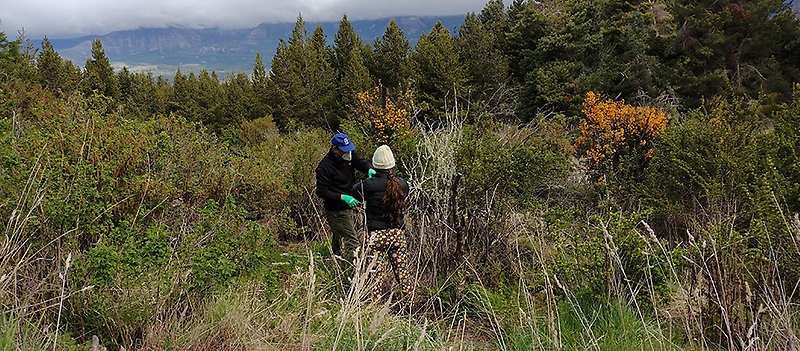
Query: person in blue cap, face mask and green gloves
{"x": 335, "y": 178}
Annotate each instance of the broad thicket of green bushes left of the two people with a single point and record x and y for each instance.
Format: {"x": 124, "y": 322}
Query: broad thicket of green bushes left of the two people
{"x": 155, "y": 212}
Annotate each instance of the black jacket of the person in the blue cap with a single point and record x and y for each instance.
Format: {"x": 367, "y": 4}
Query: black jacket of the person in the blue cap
{"x": 336, "y": 176}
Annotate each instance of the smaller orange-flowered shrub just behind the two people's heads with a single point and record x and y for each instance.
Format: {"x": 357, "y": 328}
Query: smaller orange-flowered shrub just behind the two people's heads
{"x": 387, "y": 118}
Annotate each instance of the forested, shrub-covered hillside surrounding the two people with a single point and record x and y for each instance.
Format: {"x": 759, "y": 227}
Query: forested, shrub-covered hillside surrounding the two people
{"x": 584, "y": 175}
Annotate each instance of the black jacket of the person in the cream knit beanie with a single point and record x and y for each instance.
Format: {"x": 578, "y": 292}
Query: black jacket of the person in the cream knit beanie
{"x": 372, "y": 189}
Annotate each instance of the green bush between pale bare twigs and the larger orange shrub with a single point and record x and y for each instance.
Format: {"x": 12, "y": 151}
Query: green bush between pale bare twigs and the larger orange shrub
{"x": 503, "y": 170}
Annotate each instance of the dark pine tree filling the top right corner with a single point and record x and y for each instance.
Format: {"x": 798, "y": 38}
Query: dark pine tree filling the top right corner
{"x": 730, "y": 47}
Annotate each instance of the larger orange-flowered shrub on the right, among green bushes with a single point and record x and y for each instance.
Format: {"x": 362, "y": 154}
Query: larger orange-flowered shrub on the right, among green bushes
{"x": 613, "y": 130}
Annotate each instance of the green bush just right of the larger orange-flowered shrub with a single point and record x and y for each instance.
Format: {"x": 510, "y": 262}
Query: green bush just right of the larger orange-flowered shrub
{"x": 712, "y": 165}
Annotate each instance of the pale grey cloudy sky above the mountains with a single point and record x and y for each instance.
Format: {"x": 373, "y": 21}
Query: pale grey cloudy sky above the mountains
{"x": 70, "y": 18}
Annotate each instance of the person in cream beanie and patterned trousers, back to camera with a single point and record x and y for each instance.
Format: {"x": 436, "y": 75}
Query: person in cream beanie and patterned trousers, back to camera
{"x": 385, "y": 194}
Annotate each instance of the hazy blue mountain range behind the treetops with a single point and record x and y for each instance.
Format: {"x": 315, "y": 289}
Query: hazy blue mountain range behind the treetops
{"x": 163, "y": 51}
